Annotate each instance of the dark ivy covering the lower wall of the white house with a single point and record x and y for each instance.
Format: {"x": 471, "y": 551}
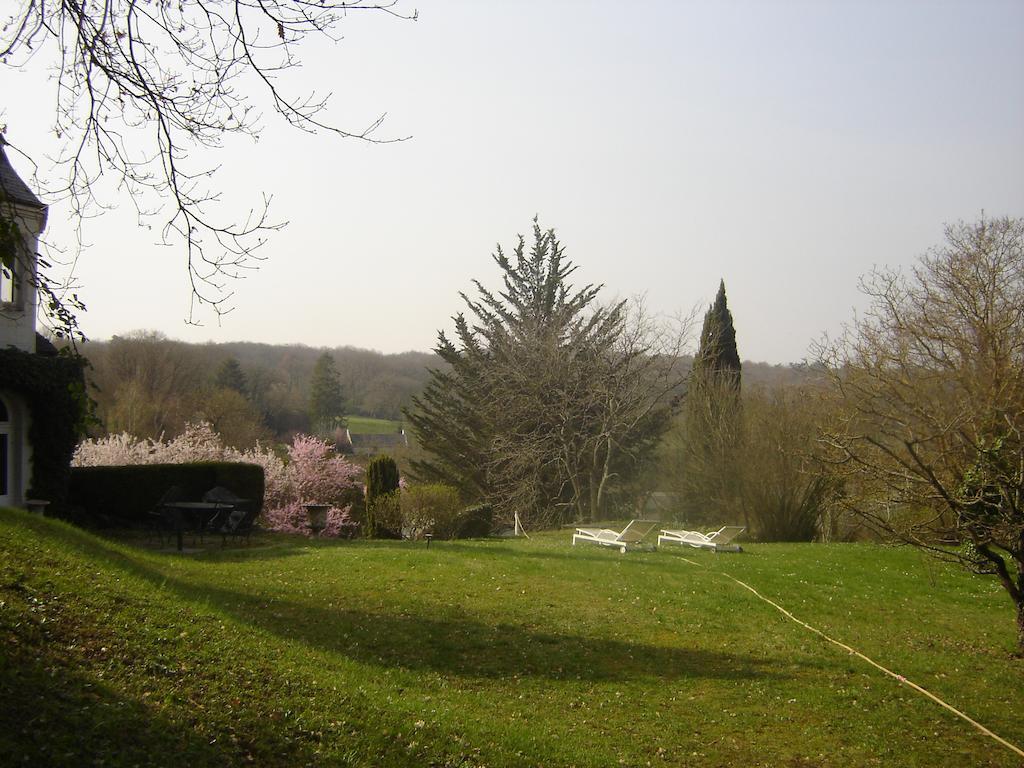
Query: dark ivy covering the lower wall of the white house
{"x": 54, "y": 388}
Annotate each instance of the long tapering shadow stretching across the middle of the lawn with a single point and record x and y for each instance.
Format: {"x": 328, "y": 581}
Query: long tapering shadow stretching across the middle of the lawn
{"x": 454, "y": 644}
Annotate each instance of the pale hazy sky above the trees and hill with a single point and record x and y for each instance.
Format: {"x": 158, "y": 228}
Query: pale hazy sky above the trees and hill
{"x": 786, "y": 148}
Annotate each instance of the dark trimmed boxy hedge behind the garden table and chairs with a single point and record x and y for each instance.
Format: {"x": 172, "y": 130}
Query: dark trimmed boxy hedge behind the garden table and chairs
{"x": 124, "y": 495}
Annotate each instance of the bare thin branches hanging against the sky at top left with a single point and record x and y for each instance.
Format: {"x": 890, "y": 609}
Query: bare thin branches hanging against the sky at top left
{"x": 143, "y": 84}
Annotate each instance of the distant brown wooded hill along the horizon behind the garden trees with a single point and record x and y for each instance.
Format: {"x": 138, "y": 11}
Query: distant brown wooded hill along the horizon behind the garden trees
{"x": 150, "y": 386}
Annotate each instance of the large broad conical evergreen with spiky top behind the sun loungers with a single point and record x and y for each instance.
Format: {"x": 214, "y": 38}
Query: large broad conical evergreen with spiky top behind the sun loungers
{"x": 530, "y": 415}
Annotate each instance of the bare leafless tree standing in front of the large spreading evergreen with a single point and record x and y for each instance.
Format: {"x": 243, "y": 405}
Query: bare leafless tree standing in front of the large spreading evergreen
{"x": 578, "y": 420}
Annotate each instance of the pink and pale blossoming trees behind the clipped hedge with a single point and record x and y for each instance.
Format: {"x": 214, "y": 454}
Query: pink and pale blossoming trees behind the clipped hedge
{"x": 314, "y": 474}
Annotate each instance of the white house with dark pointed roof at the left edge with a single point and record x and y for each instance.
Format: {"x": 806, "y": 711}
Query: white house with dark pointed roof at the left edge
{"x": 23, "y": 220}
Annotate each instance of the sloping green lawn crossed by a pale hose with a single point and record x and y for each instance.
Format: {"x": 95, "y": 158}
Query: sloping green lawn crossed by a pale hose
{"x": 492, "y": 654}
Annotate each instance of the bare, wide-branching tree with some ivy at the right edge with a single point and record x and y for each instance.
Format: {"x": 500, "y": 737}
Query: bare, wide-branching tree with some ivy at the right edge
{"x": 932, "y": 383}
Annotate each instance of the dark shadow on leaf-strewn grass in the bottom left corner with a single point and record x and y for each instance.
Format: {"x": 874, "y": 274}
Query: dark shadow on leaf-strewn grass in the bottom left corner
{"x": 54, "y": 714}
